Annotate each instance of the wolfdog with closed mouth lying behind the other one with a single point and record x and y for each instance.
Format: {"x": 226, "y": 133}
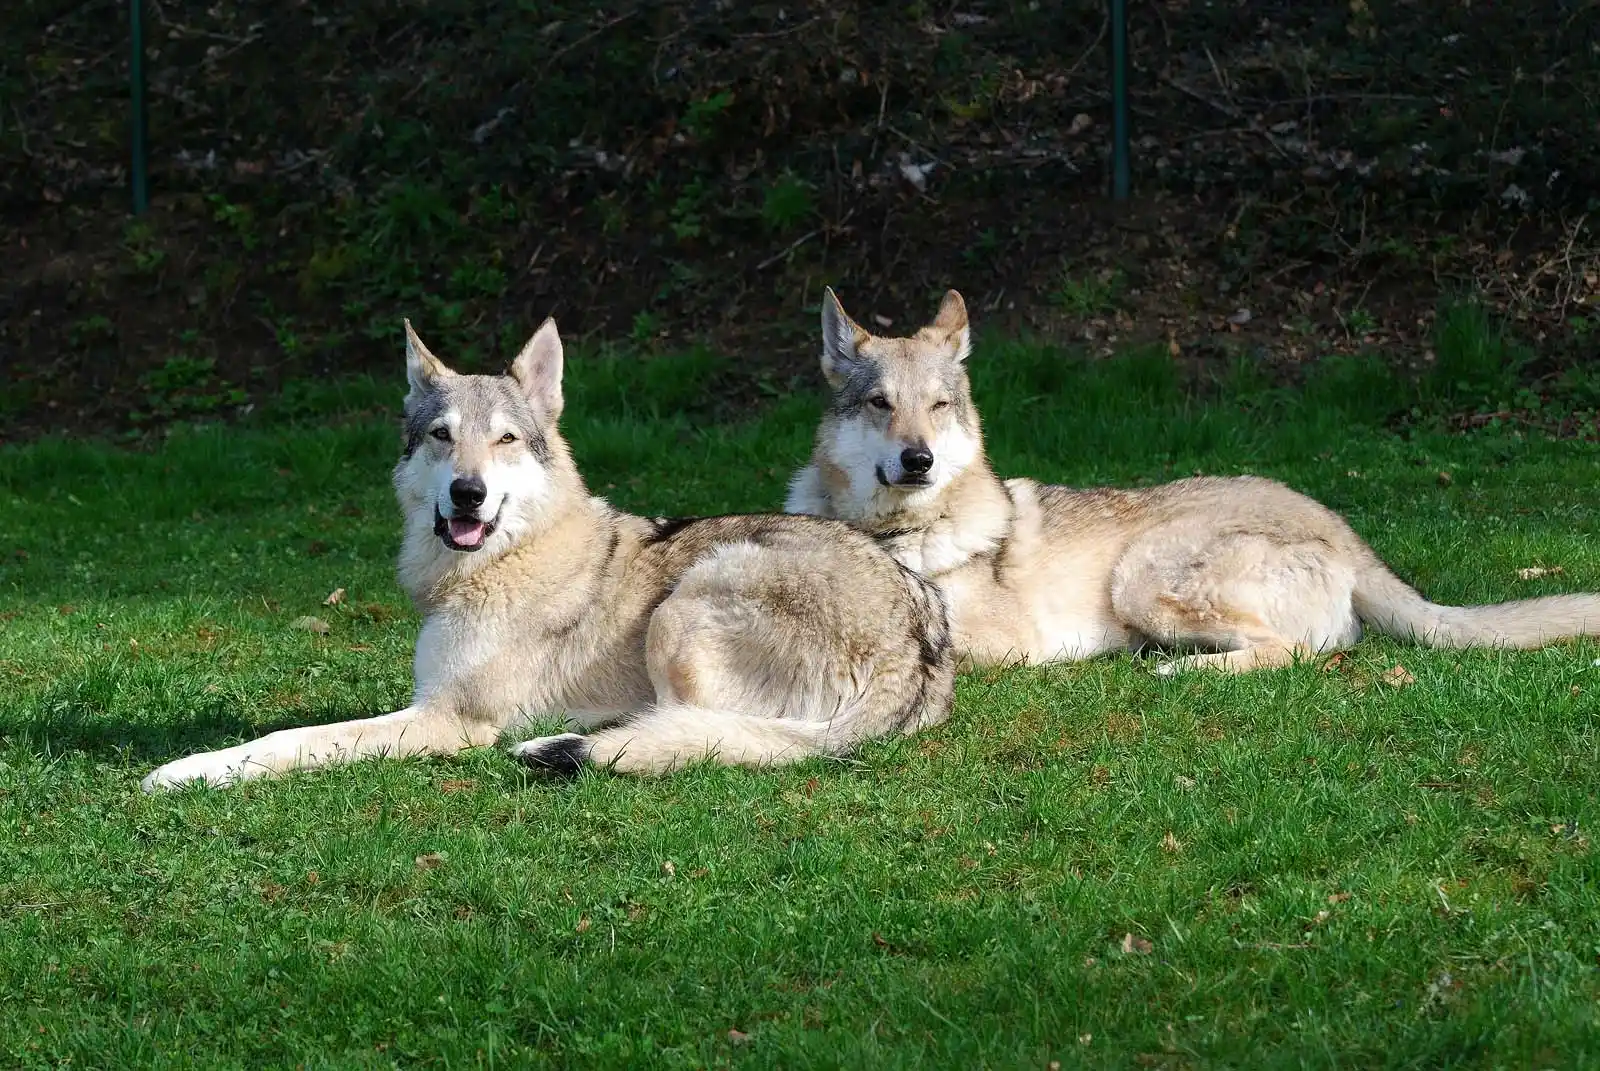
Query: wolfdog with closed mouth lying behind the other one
{"x": 1242, "y": 571}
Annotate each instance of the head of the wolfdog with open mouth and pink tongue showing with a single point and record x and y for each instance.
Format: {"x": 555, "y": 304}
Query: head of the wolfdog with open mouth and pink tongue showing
{"x": 484, "y": 460}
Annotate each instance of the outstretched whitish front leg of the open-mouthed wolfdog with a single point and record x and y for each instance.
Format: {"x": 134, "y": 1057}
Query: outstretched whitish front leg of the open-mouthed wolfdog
{"x": 417, "y": 731}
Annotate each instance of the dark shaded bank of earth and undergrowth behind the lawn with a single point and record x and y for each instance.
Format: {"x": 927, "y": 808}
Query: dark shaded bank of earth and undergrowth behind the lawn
{"x": 1311, "y": 177}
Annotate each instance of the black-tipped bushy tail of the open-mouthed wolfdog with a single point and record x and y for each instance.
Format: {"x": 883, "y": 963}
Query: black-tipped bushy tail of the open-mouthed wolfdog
{"x": 673, "y": 734}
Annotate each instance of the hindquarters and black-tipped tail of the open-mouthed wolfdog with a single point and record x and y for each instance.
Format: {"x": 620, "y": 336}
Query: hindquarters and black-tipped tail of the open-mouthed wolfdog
{"x": 761, "y": 657}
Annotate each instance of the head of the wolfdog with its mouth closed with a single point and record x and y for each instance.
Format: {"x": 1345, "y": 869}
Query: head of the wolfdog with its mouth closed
{"x": 902, "y": 420}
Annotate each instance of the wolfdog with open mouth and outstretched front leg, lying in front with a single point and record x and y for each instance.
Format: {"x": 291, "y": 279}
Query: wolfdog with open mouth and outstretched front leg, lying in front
{"x": 750, "y": 640}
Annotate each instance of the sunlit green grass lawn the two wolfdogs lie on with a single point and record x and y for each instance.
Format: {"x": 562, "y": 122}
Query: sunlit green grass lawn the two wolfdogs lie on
{"x": 1332, "y": 865}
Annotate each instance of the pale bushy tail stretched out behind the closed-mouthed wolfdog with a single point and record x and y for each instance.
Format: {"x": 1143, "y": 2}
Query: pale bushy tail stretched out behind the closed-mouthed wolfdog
{"x": 1388, "y": 604}
